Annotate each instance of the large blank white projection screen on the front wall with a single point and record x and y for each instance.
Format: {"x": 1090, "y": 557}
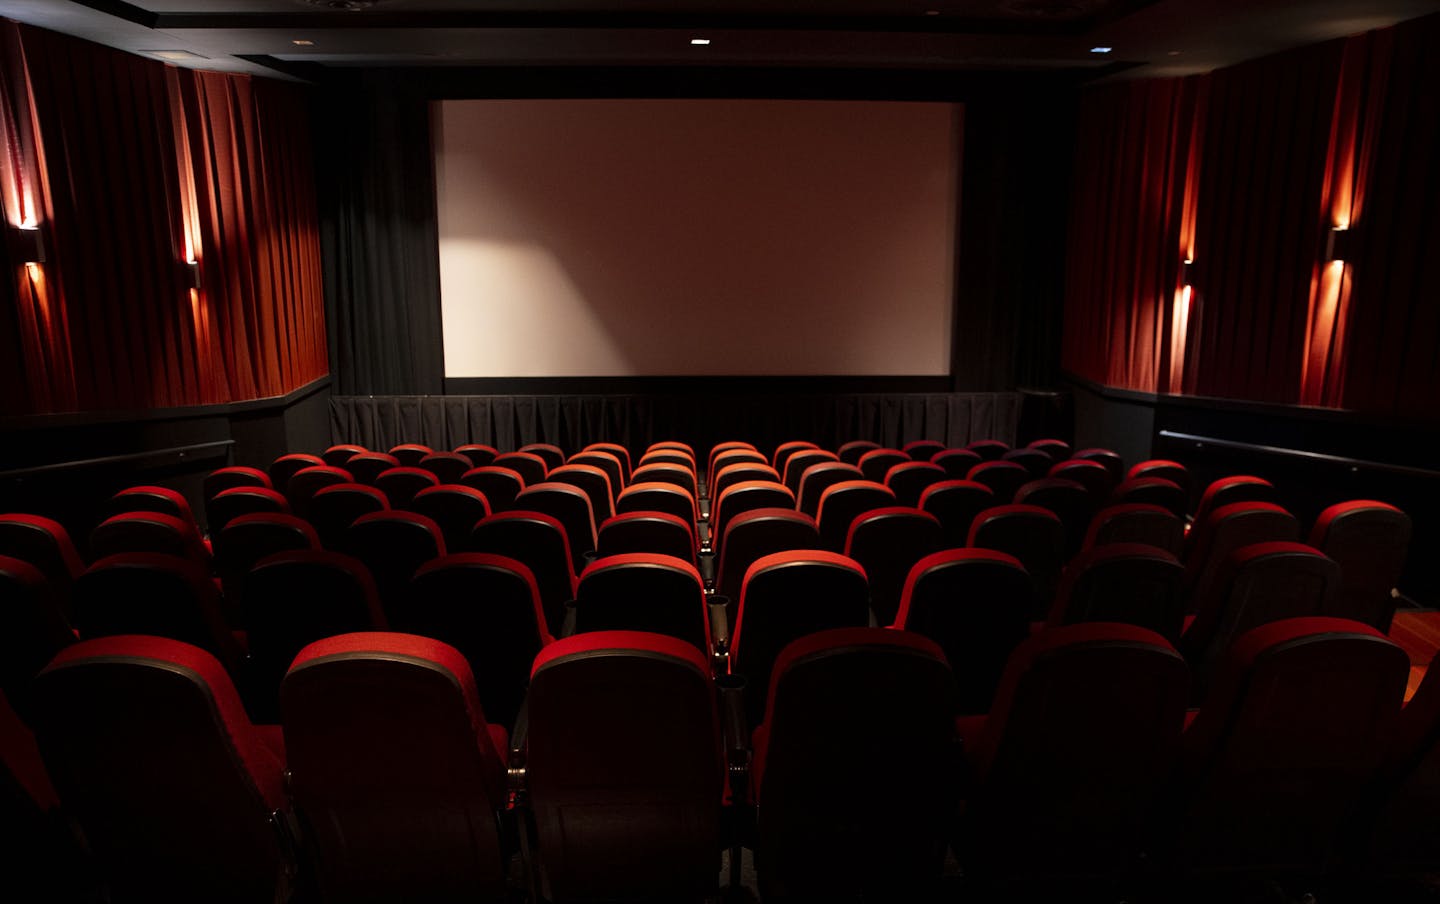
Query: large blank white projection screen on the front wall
{"x": 696, "y": 238}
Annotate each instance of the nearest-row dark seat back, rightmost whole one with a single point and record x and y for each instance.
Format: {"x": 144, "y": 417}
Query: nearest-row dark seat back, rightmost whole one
{"x": 1287, "y": 743}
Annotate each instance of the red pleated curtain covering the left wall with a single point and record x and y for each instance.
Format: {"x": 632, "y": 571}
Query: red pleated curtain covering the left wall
{"x": 148, "y": 168}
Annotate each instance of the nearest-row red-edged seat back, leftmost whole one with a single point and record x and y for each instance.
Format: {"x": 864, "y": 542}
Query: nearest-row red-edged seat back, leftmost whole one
{"x": 178, "y": 794}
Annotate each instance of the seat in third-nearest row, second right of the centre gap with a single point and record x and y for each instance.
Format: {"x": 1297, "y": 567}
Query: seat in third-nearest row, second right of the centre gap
{"x": 888, "y": 542}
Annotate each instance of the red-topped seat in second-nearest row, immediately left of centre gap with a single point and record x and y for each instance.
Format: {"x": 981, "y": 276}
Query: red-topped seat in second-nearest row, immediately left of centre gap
{"x": 644, "y": 592}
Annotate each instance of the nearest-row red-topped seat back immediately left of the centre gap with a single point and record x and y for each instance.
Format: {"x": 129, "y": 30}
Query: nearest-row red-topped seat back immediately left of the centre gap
{"x": 636, "y": 818}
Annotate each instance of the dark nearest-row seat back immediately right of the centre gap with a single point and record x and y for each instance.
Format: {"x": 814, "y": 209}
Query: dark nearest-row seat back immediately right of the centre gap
{"x": 855, "y": 769}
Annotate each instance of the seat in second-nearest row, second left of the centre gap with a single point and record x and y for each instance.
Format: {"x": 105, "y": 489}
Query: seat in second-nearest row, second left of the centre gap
{"x": 489, "y": 608}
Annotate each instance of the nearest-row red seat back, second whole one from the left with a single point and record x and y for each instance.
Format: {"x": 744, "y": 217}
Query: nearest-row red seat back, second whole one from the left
{"x": 395, "y": 771}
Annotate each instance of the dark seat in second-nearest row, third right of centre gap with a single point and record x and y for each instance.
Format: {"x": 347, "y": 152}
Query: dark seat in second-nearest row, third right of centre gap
{"x": 1124, "y": 582}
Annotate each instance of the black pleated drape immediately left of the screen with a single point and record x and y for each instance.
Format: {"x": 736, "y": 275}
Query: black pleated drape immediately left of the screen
{"x": 379, "y": 240}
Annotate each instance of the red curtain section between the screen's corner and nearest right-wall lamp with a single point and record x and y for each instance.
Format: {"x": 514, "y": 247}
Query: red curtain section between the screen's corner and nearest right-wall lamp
{"x": 1128, "y": 231}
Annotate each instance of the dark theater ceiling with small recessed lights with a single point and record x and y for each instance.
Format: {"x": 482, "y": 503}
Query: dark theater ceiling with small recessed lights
{"x": 1150, "y": 38}
